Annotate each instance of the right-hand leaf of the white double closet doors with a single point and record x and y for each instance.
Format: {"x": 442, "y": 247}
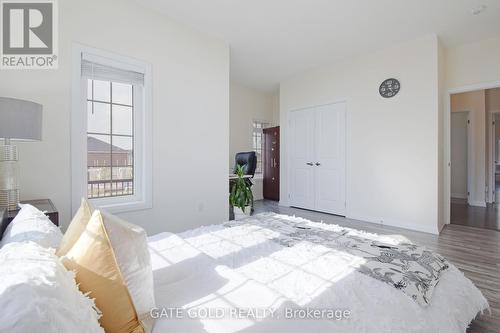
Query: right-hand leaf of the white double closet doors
{"x": 329, "y": 160}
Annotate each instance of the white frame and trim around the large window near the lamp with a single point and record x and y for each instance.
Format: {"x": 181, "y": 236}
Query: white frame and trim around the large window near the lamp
{"x": 142, "y": 197}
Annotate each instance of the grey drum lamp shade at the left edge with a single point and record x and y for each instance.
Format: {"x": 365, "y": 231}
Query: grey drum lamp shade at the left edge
{"x": 20, "y": 119}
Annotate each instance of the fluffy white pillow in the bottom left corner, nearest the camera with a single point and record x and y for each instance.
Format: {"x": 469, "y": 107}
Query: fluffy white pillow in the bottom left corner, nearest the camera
{"x": 37, "y": 293}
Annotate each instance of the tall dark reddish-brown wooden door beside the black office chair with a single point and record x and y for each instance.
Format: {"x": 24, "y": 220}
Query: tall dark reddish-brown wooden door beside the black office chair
{"x": 272, "y": 163}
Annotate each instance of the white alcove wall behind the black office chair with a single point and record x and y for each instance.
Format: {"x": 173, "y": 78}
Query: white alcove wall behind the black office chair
{"x": 246, "y": 105}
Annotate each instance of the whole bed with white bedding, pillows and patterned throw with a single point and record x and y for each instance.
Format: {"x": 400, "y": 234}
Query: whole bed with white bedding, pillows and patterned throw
{"x": 265, "y": 273}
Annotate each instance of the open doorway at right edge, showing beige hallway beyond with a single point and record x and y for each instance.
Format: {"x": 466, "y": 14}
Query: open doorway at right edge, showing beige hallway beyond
{"x": 475, "y": 158}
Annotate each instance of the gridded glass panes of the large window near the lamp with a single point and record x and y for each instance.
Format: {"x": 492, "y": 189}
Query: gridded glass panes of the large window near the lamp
{"x": 110, "y": 139}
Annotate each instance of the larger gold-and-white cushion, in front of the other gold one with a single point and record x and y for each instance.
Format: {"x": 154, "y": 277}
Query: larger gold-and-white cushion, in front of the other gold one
{"x": 111, "y": 261}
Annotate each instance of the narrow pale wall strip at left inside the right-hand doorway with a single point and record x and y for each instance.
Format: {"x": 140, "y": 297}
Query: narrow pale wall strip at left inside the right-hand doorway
{"x": 459, "y": 154}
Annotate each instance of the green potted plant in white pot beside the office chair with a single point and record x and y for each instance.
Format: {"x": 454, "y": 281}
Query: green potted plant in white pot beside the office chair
{"x": 241, "y": 197}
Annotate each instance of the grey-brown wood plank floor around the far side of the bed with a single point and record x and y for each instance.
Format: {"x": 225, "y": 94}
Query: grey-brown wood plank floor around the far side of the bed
{"x": 475, "y": 251}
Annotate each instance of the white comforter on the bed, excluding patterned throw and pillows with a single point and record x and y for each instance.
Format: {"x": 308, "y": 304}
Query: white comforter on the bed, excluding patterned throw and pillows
{"x": 211, "y": 272}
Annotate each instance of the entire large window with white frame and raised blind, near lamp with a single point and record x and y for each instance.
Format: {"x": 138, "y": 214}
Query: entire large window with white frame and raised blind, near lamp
{"x": 111, "y": 154}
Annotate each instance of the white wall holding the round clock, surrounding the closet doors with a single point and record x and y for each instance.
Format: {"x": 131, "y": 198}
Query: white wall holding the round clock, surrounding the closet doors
{"x": 392, "y": 144}
